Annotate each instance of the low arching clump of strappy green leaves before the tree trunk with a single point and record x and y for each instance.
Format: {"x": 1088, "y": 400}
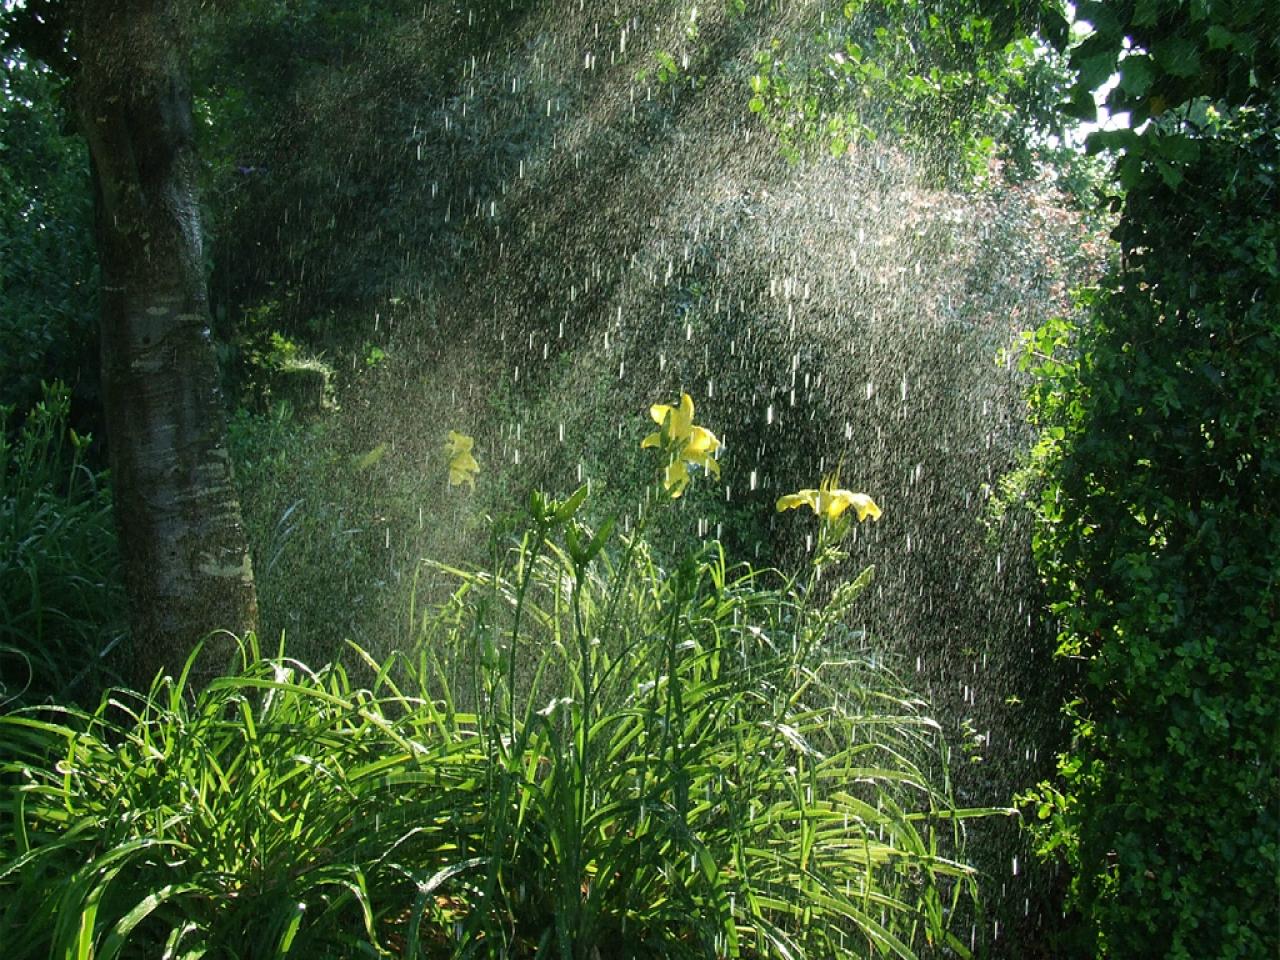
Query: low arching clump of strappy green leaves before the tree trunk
{"x": 278, "y": 812}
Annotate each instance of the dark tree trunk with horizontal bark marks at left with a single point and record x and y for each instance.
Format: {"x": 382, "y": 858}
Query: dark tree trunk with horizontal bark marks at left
{"x": 186, "y": 559}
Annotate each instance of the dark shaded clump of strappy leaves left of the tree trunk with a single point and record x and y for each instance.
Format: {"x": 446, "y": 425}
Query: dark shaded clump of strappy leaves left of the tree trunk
{"x": 62, "y": 604}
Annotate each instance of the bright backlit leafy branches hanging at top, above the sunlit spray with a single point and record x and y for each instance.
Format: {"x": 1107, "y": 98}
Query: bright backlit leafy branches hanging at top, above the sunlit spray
{"x": 964, "y": 84}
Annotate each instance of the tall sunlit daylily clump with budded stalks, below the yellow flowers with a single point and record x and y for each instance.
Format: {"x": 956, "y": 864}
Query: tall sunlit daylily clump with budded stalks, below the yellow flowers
{"x": 687, "y": 764}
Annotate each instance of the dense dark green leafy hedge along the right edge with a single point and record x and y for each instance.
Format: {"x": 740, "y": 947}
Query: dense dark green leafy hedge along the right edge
{"x": 1159, "y": 534}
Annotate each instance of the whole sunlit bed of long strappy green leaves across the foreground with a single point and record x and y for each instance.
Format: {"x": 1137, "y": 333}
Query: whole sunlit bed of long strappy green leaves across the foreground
{"x": 589, "y": 757}
